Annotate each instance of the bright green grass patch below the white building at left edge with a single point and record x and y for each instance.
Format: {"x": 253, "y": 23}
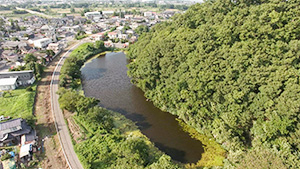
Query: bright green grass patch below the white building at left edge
{"x": 19, "y": 104}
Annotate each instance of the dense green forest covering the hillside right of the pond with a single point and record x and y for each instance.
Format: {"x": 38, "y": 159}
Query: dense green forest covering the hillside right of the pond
{"x": 230, "y": 69}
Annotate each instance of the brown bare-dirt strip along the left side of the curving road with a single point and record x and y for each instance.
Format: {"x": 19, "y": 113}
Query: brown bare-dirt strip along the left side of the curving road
{"x": 53, "y": 158}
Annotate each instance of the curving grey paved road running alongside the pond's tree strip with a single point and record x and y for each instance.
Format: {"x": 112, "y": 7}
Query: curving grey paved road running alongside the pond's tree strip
{"x": 60, "y": 124}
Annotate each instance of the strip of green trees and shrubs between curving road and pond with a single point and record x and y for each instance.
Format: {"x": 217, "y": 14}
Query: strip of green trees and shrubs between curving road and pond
{"x": 108, "y": 139}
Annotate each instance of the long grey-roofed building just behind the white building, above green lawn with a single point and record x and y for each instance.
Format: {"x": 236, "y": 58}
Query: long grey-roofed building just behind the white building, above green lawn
{"x": 24, "y": 77}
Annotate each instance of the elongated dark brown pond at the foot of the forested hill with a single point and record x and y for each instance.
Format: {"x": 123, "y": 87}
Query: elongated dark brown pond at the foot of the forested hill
{"x": 106, "y": 78}
